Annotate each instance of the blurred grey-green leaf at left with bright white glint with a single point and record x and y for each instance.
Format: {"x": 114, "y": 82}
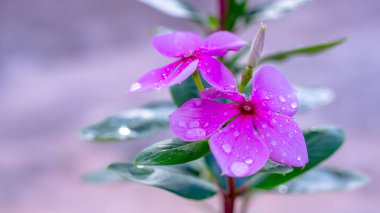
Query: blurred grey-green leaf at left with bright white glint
{"x": 131, "y": 124}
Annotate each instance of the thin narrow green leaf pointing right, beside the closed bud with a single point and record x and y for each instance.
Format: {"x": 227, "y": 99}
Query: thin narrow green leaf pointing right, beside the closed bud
{"x": 308, "y": 50}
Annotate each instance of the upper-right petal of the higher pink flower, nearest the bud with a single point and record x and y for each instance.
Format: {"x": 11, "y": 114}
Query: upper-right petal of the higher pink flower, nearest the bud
{"x": 220, "y": 42}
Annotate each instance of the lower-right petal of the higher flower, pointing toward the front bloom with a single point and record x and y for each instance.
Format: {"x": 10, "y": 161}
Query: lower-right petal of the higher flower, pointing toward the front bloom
{"x": 216, "y": 74}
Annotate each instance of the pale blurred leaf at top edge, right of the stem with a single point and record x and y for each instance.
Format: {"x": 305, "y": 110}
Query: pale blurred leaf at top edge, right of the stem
{"x": 274, "y": 9}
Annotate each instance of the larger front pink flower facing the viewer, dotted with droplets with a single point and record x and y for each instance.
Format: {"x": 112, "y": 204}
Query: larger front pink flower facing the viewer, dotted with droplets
{"x": 245, "y": 133}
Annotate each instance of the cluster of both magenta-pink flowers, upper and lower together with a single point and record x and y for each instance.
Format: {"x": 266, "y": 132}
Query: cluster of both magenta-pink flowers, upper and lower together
{"x": 243, "y": 132}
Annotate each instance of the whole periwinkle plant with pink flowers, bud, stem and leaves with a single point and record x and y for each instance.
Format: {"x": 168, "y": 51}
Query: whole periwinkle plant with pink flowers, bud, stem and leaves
{"x": 235, "y": 135}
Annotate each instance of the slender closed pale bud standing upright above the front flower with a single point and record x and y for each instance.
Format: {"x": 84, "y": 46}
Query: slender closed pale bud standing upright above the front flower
{"x": 257, "y": 47}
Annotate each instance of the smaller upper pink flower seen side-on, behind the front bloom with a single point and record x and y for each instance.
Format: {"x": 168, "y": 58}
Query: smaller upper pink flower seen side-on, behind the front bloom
{"x": 194, "y": 53}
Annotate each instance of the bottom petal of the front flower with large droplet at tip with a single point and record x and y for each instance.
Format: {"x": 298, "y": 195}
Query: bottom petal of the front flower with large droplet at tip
{"x": 237, "y": 149}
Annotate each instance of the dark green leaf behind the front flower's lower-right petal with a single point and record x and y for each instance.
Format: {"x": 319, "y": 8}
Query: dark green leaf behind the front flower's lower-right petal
{"x": 321, "y": 144}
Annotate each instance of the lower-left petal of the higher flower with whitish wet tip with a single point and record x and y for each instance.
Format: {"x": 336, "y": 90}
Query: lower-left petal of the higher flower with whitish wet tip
{"x": 154, "y": 79}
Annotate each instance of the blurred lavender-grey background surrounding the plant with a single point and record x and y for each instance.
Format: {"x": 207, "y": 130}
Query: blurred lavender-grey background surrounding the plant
{"x": 67, "y": 64}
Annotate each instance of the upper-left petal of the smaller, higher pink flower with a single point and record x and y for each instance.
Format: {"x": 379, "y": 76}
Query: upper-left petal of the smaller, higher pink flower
{"x": 177, "y": 44}
